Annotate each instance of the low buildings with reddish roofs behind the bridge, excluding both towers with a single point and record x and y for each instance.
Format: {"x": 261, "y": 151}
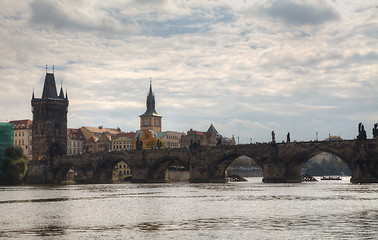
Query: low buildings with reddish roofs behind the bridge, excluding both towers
{"x": 100, "y": 139}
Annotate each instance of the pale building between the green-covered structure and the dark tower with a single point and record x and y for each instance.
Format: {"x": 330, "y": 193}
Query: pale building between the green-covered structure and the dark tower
{"x": 23, "y": 136}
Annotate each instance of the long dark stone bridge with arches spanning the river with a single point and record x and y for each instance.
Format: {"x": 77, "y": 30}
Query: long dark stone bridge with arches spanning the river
{"x": 280, "y": 162}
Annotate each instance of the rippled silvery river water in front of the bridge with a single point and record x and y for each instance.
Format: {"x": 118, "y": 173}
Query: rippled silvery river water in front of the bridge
{"x": 235, "y": 210}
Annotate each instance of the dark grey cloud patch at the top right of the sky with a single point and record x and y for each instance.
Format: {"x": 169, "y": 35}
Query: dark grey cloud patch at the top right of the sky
{"x": 296, "y": 13}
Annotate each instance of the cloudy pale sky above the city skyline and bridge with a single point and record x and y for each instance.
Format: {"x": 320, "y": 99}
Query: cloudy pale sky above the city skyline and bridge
{"x": 247, "y": 67}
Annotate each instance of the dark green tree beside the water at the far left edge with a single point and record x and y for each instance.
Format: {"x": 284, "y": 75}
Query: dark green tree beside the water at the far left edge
{"x": 14, "y": 167}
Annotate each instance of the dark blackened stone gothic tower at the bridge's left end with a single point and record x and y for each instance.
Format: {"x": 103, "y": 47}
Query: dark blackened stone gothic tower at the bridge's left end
{"x": 49, "y": 122}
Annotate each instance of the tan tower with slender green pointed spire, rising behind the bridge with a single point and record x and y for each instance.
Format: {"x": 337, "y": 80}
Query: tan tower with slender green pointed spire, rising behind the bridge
{"x": 150, "y": 120}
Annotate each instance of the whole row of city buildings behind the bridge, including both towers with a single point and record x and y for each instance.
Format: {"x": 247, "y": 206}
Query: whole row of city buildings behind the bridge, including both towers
{"x": 47, "y": 134}
